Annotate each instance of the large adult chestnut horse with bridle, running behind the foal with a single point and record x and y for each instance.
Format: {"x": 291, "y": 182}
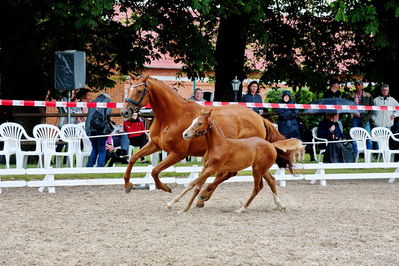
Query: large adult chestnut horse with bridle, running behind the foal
{"x": 173, "y": 114}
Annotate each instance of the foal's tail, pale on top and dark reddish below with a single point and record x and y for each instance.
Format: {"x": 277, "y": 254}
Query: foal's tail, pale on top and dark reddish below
{"x": 285, "y": 152}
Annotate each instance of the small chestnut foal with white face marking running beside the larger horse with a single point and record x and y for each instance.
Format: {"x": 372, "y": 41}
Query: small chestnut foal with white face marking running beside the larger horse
{"x": 232, "y": 155}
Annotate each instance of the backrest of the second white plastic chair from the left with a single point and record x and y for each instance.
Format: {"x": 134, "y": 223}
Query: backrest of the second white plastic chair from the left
{"x": 48, "y": 136}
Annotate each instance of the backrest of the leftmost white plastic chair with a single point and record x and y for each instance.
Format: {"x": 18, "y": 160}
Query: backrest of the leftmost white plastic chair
{"x": 12, "y": 133}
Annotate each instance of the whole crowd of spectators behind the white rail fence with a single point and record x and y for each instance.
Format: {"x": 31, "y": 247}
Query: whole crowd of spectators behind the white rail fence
{"x": 115, "y": 149}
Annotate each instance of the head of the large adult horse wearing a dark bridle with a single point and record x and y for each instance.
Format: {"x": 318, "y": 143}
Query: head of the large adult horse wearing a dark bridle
{"x": 138, "y": 95}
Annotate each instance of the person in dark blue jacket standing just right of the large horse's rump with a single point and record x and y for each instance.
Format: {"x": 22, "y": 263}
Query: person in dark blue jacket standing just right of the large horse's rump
{"x": 287, "y": 118}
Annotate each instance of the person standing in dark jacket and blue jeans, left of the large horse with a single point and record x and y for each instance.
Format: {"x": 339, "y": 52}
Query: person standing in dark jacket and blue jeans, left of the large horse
{"x": 97, "y": 123}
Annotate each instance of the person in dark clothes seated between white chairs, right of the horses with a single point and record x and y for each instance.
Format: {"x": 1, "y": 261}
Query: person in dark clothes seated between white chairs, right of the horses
{"x": 329, "y": 129}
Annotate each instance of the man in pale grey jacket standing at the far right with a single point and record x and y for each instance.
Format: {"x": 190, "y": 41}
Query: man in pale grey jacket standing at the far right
{"x": 384, "y": 118}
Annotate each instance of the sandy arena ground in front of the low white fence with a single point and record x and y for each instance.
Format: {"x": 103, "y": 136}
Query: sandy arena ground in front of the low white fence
{"x": 350, "y": 223}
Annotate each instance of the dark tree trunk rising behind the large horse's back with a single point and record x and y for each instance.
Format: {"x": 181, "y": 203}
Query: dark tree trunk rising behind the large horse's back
{"x": 230, "y": 55}
